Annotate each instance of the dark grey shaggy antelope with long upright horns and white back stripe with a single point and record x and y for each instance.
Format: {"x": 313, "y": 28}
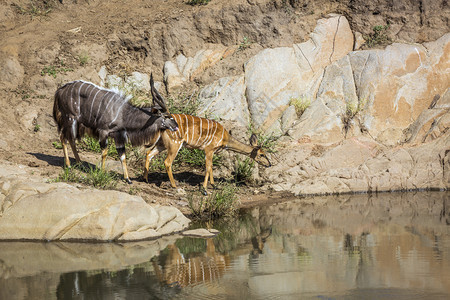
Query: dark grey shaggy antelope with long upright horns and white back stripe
{"x": 82, "y": 108}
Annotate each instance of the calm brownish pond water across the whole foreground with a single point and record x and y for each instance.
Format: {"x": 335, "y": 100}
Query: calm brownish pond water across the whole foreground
{"x": 386, "y": 246}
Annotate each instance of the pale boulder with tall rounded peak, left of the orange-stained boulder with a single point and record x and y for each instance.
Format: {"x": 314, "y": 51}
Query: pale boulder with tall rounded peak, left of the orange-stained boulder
{"x": 275, "y": 76}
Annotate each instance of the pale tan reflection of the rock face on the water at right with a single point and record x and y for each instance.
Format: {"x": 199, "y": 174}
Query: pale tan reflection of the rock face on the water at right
{"x": 353, "y": 242}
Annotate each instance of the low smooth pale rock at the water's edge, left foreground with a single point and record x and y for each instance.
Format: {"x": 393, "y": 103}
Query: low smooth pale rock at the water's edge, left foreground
{"x": 56, "y": 212}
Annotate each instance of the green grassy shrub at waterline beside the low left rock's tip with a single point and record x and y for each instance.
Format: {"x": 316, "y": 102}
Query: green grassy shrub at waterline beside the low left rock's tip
{"x": 222, "y": 202}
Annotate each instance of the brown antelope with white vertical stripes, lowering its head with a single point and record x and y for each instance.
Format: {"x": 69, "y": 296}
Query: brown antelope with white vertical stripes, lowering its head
{"x": 200, "y": 133}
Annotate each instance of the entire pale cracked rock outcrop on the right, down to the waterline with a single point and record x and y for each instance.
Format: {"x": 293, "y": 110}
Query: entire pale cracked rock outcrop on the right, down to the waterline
{"x": 381, "y": 116}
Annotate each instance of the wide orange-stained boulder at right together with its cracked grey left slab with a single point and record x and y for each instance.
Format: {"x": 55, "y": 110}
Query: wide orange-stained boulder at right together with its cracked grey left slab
{"x": 380, "y": 92}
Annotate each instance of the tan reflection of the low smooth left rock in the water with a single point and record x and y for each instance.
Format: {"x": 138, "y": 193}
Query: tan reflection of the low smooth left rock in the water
{"x": 20, "y": 259}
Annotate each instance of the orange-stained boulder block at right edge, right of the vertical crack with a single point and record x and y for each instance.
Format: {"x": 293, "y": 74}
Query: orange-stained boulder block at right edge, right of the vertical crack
{"x": 398, "y": 83}
